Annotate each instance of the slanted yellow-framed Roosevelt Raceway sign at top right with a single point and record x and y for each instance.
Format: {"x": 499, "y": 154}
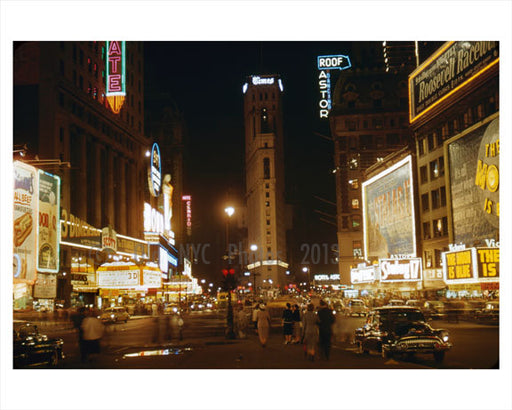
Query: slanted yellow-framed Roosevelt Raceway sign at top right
{"x": 449, "y": 69}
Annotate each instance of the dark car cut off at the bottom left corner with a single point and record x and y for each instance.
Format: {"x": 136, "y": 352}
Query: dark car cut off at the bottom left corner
{"x": 31, "y": 348}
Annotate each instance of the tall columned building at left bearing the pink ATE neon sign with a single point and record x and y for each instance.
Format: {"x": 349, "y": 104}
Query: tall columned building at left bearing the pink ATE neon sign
{"x": 79, "y": 111}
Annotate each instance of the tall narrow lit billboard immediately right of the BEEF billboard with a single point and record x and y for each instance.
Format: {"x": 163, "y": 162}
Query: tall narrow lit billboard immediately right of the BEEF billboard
{"x": 49, "y": 223}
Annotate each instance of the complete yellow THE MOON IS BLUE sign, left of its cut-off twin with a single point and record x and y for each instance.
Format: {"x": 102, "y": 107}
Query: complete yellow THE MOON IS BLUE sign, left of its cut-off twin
{"x": 458, "y": 266}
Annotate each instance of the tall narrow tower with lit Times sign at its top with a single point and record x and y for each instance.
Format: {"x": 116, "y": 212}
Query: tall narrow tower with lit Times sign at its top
{"x": 264, "y": 166}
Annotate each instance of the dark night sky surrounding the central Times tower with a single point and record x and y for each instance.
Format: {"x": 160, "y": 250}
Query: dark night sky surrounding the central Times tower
{"x": 205, "y": 81}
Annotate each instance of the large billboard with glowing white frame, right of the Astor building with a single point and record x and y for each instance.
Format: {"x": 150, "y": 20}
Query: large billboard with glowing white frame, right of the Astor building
{"x": 388, "y": 213}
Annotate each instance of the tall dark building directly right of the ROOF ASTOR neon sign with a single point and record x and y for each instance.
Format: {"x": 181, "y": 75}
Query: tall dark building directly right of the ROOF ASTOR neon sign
{"x": 368, "y": 121}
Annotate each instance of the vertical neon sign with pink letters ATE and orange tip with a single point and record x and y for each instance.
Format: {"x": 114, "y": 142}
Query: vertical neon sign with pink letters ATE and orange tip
{"x": 116, "y": 74}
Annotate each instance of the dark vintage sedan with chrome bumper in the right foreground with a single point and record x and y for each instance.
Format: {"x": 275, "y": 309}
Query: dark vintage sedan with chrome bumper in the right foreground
{"x": 402, "y": 330}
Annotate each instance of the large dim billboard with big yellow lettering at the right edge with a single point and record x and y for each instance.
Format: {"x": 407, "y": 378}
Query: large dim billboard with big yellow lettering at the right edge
{"x": 473, "y": 169}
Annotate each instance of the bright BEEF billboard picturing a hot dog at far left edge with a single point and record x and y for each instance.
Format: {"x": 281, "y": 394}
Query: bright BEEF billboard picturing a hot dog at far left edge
{"x": 25, "y": 222}
